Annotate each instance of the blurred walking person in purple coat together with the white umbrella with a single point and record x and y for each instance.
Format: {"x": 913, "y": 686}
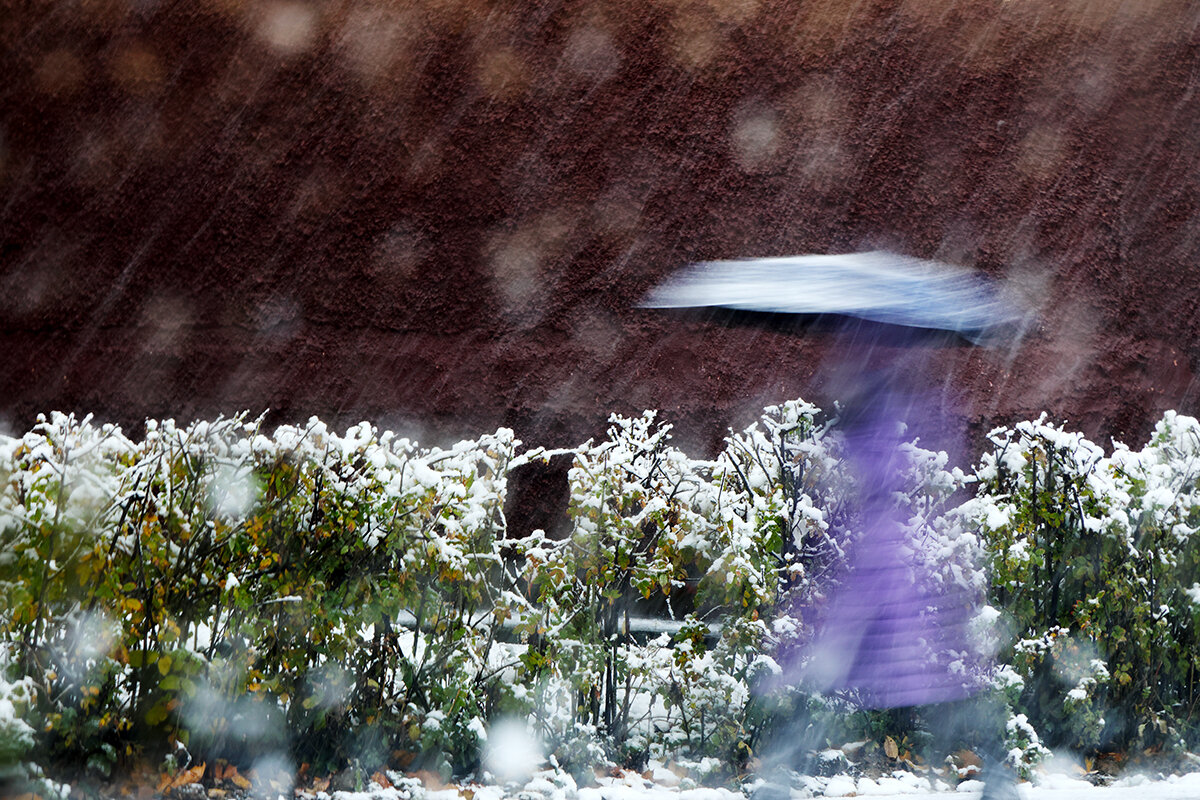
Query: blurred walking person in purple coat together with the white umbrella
{"x": 884, "y": 623}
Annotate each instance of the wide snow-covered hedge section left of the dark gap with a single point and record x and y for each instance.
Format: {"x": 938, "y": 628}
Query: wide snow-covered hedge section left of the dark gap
{"x": 231, "y": 590}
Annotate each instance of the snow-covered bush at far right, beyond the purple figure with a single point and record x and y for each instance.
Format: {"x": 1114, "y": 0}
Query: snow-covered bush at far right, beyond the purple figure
{"x": 1093, "y": 560}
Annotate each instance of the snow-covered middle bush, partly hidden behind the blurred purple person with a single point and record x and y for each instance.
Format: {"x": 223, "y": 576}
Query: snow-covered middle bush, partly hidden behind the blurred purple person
{"x": 737, "y": 549}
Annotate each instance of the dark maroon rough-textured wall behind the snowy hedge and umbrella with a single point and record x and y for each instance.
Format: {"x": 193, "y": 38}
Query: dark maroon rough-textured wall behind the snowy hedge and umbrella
{"x": 439, "y": 215}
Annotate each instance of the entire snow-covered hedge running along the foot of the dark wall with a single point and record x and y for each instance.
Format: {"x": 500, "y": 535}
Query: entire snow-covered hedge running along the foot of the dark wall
{"x": 343, "y": 582}
